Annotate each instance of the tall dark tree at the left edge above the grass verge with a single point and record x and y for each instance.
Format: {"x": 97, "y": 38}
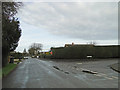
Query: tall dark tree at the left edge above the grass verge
{"x": 11, "y": 31}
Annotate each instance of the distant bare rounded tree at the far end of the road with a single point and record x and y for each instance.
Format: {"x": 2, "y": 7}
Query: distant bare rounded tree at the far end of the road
{"x": 35, "y": 48}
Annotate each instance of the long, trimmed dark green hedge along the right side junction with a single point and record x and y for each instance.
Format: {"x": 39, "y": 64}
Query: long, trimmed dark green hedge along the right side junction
{"x": 82, "y": 51}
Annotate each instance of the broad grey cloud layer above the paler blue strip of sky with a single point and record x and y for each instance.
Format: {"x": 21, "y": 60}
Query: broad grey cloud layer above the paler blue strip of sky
{"x": 87, "y": 21}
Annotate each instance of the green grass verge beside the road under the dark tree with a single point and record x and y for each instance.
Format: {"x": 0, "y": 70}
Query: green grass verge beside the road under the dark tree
{"x": 7, "y": 69}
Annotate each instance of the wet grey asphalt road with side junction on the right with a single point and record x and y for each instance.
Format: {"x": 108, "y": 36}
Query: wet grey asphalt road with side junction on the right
{"x": 36, "y": 73}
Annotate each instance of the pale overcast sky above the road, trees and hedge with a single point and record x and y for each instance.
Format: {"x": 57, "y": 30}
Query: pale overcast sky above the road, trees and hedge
{"x": 55, "y": 24}
